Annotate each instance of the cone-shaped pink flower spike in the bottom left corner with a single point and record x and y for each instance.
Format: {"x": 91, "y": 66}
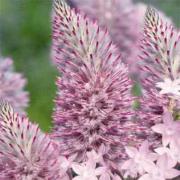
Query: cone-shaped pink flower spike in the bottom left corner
{"x": 25, "y": 152}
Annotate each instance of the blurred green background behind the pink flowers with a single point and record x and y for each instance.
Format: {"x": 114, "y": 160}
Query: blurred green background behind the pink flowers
{"x": 25, "y": 35}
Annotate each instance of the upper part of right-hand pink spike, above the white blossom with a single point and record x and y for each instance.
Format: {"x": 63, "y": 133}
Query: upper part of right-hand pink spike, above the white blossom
{"x": 160, "y": 47}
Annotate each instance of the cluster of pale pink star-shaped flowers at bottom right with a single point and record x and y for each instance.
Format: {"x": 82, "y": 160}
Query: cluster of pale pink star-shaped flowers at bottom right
{"x": 160, "y": 163}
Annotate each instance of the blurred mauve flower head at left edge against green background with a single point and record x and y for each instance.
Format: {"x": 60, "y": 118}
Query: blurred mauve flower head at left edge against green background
{"x": 12, "y": 85}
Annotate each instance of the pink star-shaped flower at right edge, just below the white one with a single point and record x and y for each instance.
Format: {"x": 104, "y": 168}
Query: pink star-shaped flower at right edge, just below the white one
{"x": 169, "y": 129}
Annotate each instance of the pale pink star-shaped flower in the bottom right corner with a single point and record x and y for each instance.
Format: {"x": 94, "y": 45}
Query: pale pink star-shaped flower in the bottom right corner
{"x": 162, "y": 170}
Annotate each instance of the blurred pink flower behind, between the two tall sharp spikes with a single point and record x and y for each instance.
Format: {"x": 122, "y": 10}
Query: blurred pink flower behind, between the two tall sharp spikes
{"x": 124, "y": 21}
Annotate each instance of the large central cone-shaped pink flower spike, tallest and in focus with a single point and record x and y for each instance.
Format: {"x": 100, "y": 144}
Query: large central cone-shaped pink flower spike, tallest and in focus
{"x": 93, "y": 105}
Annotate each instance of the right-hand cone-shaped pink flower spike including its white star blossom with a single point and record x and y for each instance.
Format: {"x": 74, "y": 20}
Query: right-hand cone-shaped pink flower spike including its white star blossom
{"x": 160, "y": 60}
